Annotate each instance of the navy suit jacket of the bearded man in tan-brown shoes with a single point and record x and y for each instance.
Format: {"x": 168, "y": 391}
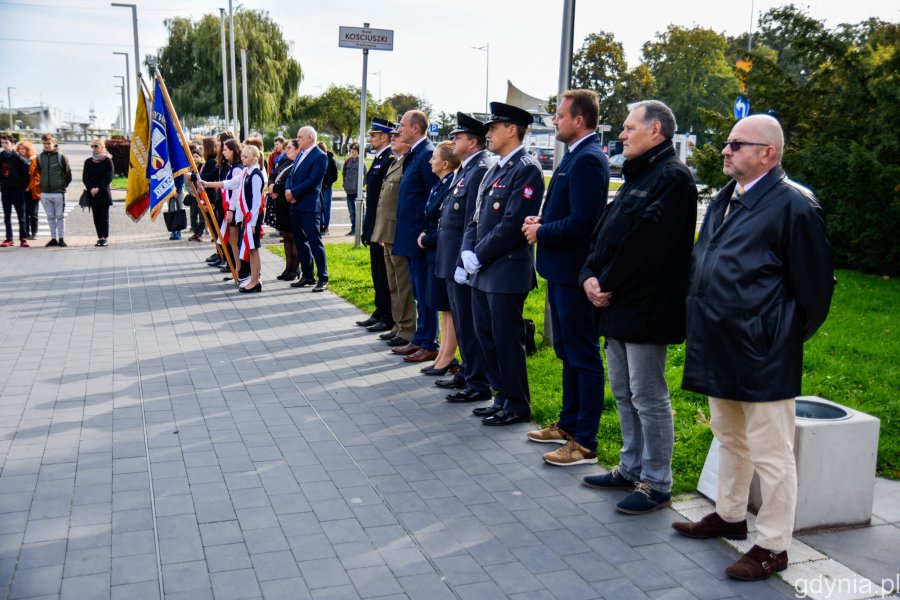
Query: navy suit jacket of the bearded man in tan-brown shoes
{"x": 571, "y": 211}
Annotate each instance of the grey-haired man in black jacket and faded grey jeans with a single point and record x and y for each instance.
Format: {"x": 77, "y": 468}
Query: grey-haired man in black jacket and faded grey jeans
{"x": 636, "y": 274}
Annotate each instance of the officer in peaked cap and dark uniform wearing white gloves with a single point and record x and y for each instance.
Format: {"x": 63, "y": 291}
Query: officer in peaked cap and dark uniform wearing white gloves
{"x": 499, "y": 264}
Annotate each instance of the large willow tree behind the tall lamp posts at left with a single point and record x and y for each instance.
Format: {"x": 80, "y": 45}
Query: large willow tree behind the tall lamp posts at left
{"x": 191, "y": 63}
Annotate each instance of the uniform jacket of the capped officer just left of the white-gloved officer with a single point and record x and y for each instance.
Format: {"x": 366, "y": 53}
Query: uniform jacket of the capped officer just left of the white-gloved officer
{"x": 457, "y": 212}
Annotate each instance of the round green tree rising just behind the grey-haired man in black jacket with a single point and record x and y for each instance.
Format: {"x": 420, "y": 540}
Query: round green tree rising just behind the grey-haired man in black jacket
{"x": 691, "y": 71}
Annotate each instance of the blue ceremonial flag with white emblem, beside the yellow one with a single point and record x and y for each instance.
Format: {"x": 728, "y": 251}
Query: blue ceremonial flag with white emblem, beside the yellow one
{"x": 167, "y": 157}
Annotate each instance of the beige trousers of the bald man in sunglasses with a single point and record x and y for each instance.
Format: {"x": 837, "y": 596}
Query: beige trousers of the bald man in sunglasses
{"x": 757, "y": 436}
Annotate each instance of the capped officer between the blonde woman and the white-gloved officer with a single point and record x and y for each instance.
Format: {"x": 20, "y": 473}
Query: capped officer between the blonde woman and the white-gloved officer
{"x": 468, "y": 146}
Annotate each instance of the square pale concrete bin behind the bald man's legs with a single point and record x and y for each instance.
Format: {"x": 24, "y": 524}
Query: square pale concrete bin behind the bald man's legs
{"x": 836, "y": 449}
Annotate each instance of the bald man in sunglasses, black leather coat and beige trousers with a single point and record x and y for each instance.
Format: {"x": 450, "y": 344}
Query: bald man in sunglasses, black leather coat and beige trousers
{"x": 761, "y": 285}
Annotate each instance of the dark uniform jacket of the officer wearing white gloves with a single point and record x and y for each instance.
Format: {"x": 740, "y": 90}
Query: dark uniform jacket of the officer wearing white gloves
{"x": 508, "y": 195}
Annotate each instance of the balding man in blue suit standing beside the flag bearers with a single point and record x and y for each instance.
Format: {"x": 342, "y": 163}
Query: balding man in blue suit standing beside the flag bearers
{"x": 302, "y": 191}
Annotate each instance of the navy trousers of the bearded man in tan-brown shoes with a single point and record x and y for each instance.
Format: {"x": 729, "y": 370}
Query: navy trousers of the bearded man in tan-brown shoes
{"x": 578, "y": 347}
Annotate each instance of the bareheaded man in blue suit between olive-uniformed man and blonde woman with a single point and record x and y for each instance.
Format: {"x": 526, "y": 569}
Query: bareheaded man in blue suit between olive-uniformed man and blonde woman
{"x": 418, "y": 179}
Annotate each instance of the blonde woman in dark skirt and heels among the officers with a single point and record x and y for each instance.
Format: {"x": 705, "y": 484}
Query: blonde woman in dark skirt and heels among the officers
{"x": 443, "y": 164}
